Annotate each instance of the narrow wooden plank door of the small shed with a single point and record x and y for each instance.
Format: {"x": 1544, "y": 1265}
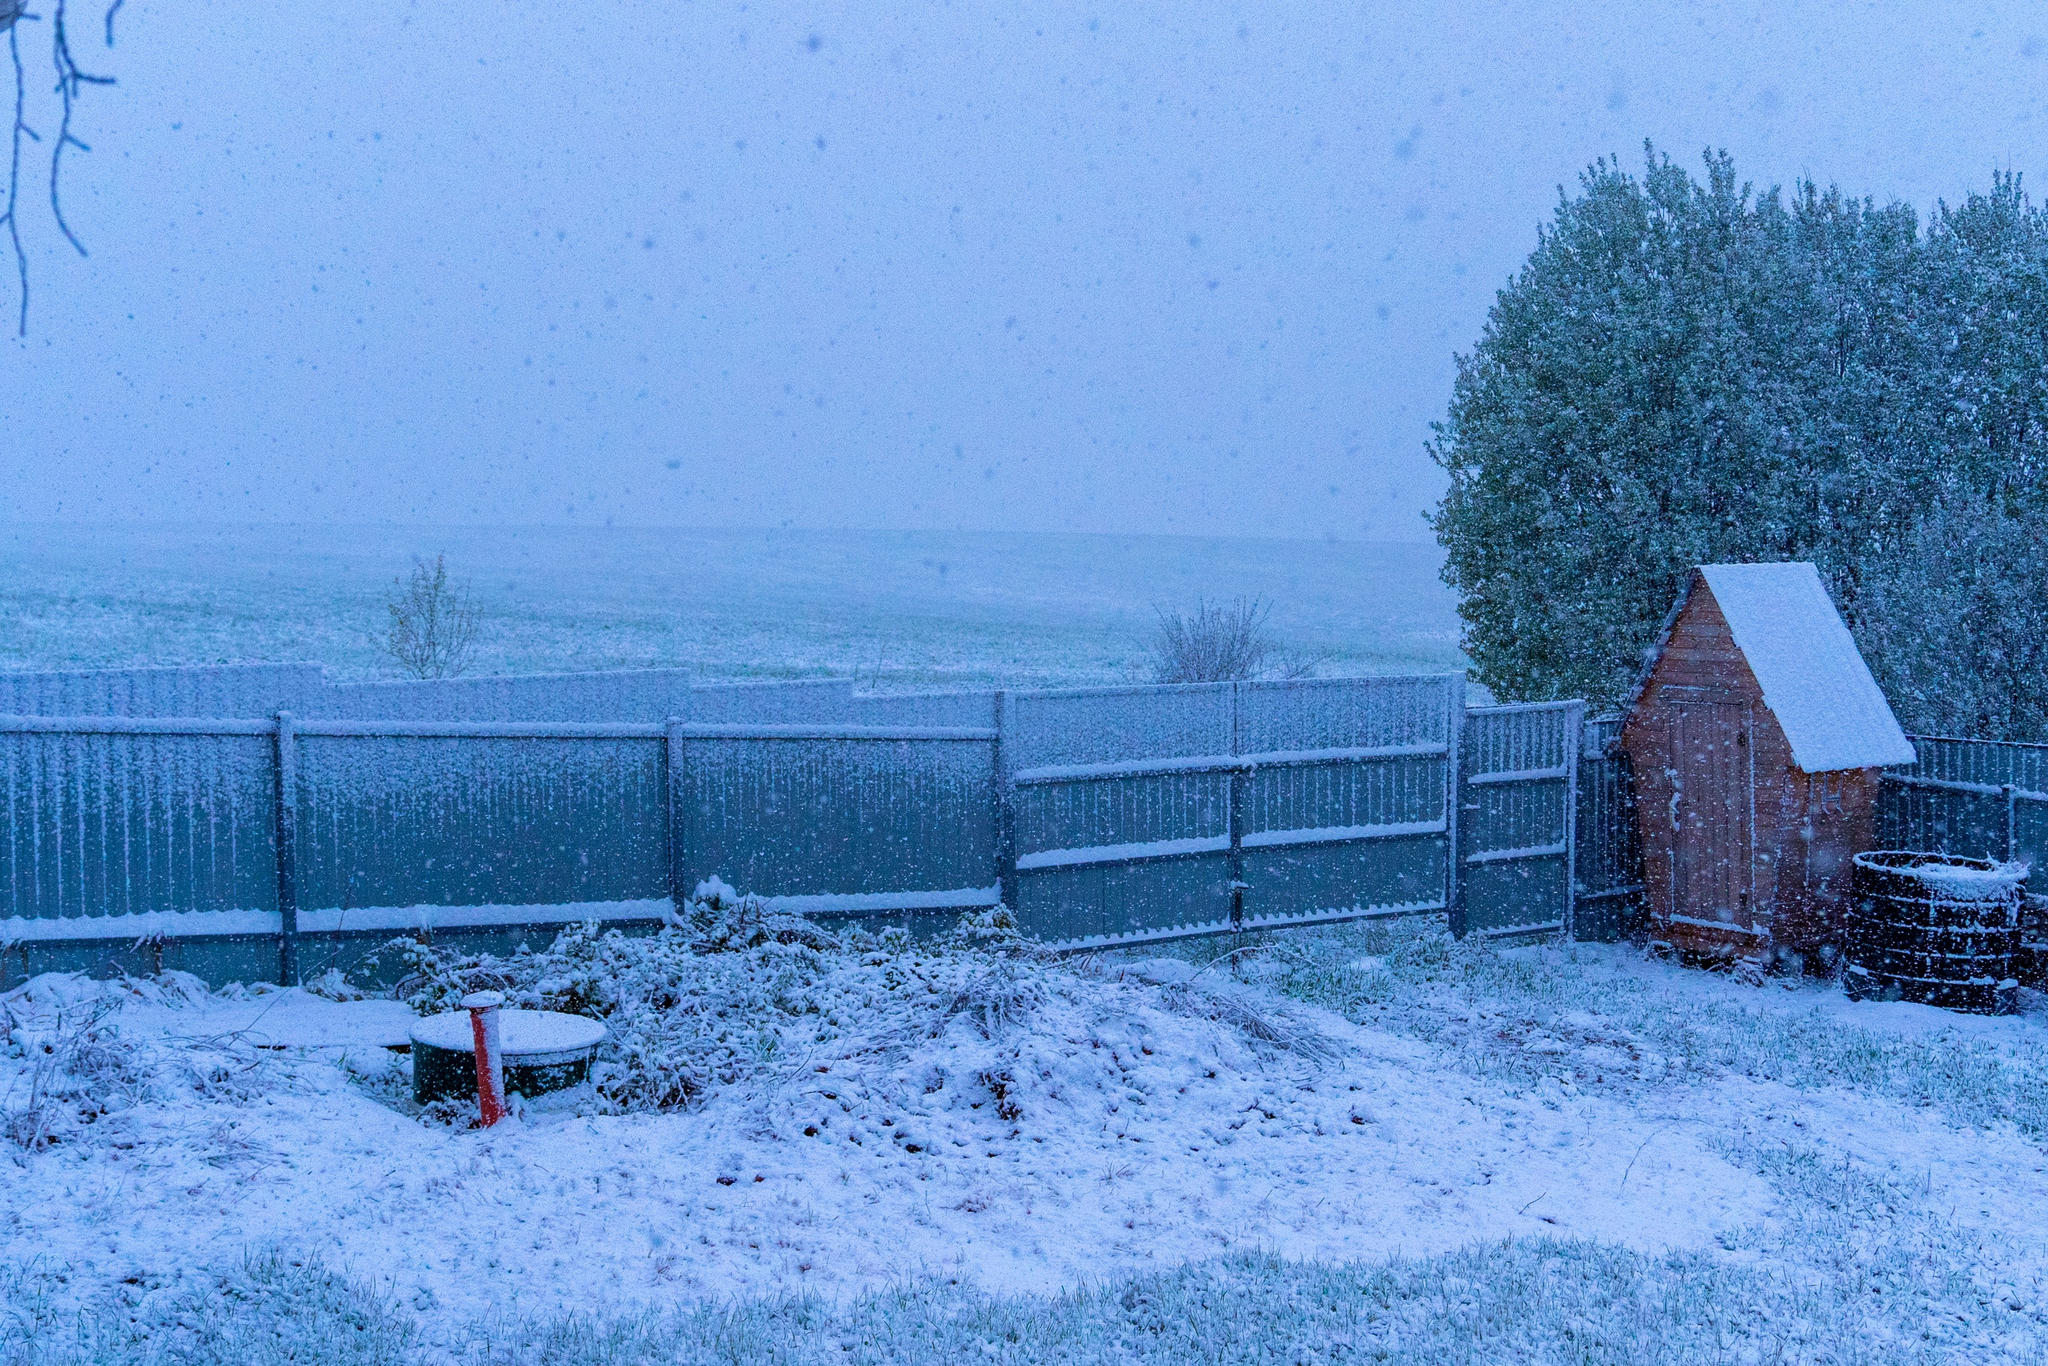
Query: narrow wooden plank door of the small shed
{"x": 1711, "y": 808}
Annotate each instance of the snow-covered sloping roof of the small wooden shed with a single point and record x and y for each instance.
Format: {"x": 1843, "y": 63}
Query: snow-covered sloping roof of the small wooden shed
{"x": 1814, "y": 679}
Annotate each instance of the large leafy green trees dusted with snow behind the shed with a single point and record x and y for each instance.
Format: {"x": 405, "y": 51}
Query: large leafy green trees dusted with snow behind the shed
{"x": 1689, "y": 372}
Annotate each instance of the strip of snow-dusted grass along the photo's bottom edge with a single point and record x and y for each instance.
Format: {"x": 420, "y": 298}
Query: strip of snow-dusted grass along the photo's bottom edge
{"x": 1889, "y": 1299}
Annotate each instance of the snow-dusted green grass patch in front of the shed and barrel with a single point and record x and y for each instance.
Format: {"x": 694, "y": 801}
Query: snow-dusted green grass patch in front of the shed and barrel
{"x": 1580, "y": 1015}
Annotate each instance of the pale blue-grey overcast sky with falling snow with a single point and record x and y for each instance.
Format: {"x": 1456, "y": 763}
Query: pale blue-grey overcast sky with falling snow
{"x": 1170, "y": 267}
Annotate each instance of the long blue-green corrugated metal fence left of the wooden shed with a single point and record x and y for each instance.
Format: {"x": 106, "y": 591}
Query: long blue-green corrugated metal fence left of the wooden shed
{"x": 1107, "y": 816}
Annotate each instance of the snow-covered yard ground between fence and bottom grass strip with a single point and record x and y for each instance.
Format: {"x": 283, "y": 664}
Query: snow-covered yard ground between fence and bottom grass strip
{"x": 1033, "y": 1127}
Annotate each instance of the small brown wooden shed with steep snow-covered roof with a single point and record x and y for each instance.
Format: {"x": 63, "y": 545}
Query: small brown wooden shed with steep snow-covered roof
{"x": 1756, "y": 734}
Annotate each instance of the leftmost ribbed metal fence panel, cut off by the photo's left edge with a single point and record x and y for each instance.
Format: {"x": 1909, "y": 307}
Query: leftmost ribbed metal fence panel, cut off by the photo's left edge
{"x": 134, "y": 824}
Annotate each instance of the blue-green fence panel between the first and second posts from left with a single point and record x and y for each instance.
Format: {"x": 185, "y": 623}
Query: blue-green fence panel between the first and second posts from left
{"x": 478, "y": 820}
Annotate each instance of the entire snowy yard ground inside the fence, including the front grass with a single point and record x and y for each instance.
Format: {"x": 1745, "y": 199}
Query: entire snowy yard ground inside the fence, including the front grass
{"x": 1363, "y": 1144}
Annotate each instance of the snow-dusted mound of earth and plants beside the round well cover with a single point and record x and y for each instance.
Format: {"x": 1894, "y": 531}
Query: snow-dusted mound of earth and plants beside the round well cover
{"x": 882, "y": 1041}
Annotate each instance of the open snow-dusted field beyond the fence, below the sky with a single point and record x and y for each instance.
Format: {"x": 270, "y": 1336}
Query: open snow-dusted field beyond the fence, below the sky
{"x": 894, "y": 609}
